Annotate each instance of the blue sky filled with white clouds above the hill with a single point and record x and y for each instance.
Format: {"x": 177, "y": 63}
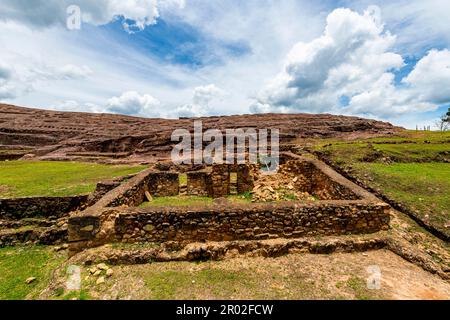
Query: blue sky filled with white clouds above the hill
{"x": 387, "y": 60}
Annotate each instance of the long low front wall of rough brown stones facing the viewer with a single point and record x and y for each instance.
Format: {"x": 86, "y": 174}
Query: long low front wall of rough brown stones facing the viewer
{"x": 234, "y": 222}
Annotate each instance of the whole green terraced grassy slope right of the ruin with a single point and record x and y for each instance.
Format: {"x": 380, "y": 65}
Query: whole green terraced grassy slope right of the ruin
{"x": 410, "y": 168}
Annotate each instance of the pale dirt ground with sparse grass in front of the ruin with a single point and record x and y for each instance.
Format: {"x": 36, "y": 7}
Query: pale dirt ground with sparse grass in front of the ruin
{"x": 294, "y": 276}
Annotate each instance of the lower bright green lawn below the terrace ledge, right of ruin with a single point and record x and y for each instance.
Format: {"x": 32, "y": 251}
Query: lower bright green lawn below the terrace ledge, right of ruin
{"x": 423, "y": 187}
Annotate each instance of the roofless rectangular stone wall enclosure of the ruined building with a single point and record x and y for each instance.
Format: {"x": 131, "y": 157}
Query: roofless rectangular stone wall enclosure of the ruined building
{"x": 116, "y": 217}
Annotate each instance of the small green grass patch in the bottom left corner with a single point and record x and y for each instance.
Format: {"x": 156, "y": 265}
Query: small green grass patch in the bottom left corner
{"x": 19, "y": 264}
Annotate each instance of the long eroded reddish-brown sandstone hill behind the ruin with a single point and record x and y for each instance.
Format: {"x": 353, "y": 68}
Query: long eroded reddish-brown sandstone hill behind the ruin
{"x": 35, "y": 133}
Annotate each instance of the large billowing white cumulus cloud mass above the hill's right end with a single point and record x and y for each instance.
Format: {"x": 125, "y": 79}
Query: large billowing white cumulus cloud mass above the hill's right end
{"x": 353, "y": 60}
